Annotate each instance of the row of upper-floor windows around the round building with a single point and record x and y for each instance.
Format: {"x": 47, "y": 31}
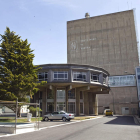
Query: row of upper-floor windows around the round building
{"x": 63, "y": 75}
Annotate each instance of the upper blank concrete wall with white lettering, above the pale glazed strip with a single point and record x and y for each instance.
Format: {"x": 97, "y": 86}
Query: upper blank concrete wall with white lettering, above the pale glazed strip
{"x": 108, "y": 41}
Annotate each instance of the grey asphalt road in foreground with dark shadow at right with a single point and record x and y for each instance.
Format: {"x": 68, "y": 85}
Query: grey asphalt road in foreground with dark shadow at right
{"x": 106, "y": 128}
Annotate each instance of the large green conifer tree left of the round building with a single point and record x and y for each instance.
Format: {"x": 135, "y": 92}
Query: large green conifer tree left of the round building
{"x": 18, "y": 75}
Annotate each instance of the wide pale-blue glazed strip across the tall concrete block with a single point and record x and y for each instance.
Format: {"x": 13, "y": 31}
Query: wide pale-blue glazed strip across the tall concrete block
{"x": 126, "y": 80}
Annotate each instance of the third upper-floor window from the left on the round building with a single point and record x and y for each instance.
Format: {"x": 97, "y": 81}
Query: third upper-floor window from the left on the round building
{"x": 79, "y": 76}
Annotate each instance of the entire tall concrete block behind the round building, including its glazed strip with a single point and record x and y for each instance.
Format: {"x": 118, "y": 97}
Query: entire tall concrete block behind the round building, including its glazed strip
{"x": 108, "y": 41}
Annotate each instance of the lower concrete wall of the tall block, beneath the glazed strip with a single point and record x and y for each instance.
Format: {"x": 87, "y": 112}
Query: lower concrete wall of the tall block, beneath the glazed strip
{"x": 123, "y": 97}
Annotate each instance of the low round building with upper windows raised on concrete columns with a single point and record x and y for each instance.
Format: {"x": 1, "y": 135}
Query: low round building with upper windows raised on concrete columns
{"x": 71, "y": 87}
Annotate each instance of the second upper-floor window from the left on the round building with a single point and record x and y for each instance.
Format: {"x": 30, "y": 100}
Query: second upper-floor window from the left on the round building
{"x": 60, "y": 75}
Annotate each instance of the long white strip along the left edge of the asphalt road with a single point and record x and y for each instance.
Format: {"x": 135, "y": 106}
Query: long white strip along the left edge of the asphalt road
{"x": 26, "y": 130}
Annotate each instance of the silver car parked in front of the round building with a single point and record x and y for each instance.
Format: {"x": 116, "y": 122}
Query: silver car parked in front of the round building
{"x": 59, "y": 115}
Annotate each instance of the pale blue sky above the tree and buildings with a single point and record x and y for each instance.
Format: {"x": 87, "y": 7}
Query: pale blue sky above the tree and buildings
{"x": 44, "y": 22}
